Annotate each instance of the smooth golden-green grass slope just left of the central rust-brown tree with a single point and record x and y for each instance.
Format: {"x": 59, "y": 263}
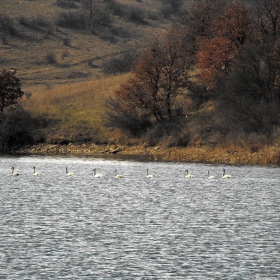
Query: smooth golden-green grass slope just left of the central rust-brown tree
{"x": 77, "y": 108}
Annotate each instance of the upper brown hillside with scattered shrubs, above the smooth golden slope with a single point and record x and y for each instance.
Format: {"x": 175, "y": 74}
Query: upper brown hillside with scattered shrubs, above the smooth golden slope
{"x": 46, "y": 54}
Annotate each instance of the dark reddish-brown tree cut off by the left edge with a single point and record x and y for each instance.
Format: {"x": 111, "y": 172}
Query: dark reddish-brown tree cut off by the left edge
{"x": 10, "y": 90}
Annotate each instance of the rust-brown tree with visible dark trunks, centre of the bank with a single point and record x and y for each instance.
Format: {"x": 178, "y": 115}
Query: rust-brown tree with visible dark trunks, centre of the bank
{"x": 157, "y": 80}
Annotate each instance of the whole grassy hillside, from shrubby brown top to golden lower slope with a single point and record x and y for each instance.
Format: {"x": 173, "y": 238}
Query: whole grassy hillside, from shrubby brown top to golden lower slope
{"x": 61, "y": 68}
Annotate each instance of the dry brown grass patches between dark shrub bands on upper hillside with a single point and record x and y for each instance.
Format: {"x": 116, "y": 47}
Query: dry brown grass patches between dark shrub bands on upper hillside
{"x": 75, "y": 60}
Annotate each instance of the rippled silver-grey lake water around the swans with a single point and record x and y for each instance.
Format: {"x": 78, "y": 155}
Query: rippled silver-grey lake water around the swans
{"x": 55, "y": 226}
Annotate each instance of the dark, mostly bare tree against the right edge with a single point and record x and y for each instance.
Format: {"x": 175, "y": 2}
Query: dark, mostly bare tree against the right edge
{"x": 253, "y": 87}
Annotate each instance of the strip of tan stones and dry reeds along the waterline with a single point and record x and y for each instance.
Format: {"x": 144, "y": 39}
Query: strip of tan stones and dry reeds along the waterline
{"x": 266, "y": 155}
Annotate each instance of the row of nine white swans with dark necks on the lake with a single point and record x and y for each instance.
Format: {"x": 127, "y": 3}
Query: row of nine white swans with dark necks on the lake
{"x": 116, "y": 175}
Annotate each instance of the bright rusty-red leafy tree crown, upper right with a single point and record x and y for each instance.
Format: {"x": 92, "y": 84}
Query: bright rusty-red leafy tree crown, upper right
{"x": 217, "y": 54}
